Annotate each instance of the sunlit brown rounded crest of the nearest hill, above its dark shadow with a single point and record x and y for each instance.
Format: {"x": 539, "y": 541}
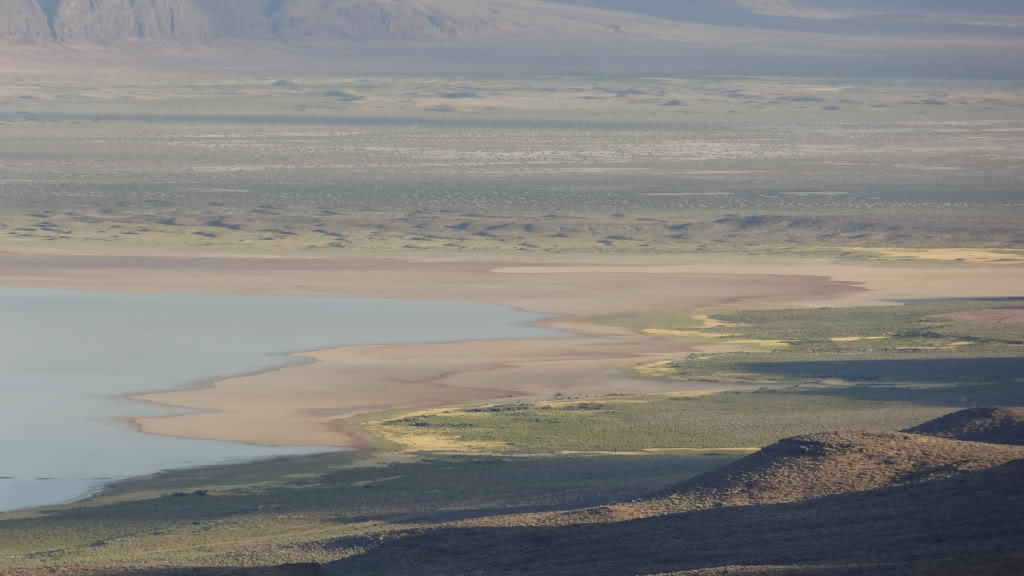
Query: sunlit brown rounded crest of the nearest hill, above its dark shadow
{"x": 806, "y": 468}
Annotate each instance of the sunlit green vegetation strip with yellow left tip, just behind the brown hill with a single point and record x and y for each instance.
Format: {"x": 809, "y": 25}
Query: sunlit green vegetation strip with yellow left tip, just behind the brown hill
{"x": 736, "y": 420}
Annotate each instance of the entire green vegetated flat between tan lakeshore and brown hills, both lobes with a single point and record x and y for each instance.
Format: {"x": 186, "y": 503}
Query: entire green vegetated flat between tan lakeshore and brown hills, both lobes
{"x": 872, "y": 367}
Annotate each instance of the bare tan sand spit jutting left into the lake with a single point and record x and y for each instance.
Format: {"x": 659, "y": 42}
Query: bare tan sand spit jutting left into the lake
{"x": 357, "y": 381}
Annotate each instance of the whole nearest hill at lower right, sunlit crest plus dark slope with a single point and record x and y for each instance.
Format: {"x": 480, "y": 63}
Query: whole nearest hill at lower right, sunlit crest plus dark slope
{"x": 827, "y": 504}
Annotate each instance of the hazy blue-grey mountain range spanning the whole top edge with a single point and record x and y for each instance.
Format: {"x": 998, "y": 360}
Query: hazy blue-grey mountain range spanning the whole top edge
{"x": 705, "y": 36}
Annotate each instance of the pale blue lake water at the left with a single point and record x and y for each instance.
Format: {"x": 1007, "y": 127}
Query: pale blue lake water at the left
{"x": 68, "y": 359}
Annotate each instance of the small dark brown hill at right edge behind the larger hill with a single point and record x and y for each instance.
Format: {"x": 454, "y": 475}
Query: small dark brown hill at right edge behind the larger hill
{"x": 995, "y": 426}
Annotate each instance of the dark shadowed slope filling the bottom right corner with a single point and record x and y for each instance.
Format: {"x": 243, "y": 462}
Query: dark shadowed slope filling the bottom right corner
{"x": 964, "y": 524}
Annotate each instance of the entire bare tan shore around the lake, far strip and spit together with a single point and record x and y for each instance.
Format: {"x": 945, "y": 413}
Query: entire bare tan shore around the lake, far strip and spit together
{"x": 296, "y": 405}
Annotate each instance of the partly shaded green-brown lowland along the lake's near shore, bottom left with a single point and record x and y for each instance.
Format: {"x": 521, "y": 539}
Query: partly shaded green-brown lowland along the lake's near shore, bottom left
{"x": 303, "y": 519}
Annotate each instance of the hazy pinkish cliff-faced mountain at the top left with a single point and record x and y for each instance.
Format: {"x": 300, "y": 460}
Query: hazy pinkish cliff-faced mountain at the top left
{"x": 113, "y": 22}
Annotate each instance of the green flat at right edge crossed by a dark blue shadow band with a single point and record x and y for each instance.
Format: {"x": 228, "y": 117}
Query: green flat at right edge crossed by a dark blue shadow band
{"x": 954, "y": 343}
